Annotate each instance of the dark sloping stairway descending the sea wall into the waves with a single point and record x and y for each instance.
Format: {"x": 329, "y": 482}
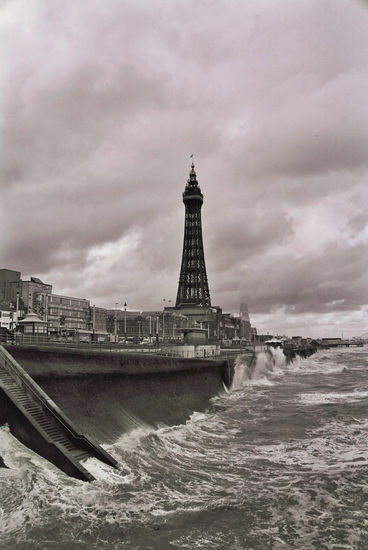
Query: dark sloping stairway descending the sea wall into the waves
{"x": 39, "y": 423}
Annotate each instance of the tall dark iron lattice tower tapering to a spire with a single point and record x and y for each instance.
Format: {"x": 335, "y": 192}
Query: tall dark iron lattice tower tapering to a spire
{"x": 193, "y": 284}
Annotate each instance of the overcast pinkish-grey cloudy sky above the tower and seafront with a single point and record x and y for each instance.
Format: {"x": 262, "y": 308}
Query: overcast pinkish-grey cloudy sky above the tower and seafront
{"x": 102, "y": 103}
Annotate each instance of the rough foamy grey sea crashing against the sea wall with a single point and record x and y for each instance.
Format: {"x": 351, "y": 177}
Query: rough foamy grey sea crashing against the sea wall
{"x": 278, "y": 462}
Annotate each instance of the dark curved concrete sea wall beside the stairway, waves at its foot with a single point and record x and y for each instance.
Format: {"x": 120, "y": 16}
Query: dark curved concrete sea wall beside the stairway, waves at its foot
{"x": 108, "y": 393}
